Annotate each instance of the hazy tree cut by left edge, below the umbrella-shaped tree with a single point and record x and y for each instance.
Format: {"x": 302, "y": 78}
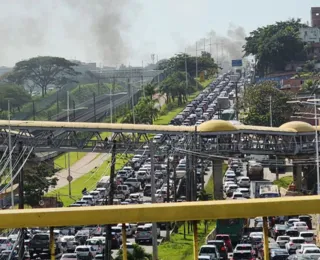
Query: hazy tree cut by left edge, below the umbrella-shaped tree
{"x": 18, "y": 96}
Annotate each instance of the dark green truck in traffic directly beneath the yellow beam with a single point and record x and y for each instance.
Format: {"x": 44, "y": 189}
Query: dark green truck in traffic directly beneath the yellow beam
{"x": 233, "y": 227}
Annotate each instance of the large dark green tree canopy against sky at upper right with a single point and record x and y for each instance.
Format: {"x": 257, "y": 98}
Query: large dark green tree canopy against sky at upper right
{"x": 275, "y": 45}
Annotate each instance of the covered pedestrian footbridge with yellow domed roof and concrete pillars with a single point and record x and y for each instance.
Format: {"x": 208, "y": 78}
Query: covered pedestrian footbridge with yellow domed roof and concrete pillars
{"x": 215, "y": 140}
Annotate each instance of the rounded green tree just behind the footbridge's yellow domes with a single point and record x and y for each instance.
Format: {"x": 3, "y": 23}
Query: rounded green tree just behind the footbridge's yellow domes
{"x": 256, "y": 103}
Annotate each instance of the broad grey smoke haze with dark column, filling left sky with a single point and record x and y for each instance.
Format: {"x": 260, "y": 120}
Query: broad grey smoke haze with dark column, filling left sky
{"x": 96, "y": 29}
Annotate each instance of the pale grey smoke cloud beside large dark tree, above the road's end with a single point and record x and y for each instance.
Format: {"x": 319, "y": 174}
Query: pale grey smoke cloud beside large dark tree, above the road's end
{"x": 223, "y": 48}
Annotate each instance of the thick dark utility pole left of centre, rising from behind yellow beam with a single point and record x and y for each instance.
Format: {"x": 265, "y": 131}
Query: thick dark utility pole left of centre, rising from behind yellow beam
{"x": 109, "y": 201}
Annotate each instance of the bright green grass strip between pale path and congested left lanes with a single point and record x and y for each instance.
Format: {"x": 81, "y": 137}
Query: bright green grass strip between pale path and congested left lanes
{"x": 88, "y": 180}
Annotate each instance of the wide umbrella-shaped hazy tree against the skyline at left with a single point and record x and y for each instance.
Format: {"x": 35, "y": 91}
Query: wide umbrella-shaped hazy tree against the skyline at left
{"x": 43, "y": 71}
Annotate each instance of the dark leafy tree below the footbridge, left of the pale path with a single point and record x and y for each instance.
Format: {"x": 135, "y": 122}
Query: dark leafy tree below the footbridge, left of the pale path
{"x": 37, "y": 181}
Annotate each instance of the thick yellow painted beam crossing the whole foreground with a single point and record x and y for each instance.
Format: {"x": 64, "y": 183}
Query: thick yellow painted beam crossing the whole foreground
{"x": 160, "y": 212}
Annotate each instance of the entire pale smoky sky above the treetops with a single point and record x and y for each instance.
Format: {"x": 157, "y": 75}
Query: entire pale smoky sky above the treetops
{"x": 114, "y": 32}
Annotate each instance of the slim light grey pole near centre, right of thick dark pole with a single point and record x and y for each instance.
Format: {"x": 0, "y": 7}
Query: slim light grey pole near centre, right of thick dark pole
{"x": 153, "y": 192}
